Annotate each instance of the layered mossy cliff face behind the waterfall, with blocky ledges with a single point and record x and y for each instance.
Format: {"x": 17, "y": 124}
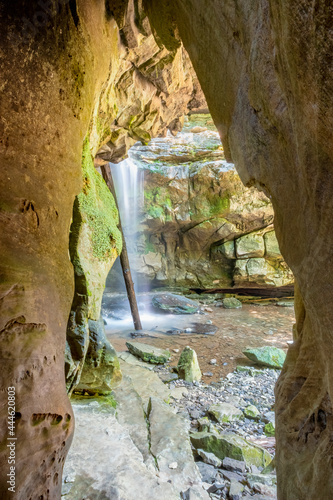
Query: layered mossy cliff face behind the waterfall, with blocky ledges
{"x": 198, "y": 224}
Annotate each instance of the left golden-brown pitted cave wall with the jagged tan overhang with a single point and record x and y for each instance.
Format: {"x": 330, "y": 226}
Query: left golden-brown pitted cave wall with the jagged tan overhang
{"x": 60, "y": 62}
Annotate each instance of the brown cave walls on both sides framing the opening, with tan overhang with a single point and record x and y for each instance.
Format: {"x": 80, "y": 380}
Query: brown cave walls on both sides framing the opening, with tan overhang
{"x": 265, "y": 69}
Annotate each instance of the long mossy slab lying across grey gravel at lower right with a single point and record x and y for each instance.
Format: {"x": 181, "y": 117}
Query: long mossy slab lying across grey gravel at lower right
{"x": 231, "y": 445}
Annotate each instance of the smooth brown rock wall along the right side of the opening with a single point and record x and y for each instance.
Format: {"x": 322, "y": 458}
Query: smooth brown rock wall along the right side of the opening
{"x": 265, "y": 69}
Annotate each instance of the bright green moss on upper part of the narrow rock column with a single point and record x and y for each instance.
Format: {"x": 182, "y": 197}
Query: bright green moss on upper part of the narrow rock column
{"x": 98, "y": 209}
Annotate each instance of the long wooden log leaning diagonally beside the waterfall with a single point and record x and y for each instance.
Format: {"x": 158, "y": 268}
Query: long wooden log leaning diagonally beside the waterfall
{"x": 107, "y": 176}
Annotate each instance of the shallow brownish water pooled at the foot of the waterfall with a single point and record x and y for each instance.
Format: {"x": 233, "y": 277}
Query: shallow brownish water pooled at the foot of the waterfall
{"x": 252, "y": 325}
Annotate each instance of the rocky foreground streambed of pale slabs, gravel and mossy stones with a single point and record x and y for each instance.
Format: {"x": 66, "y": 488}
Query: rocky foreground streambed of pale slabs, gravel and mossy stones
{"x": 158, "y": 436}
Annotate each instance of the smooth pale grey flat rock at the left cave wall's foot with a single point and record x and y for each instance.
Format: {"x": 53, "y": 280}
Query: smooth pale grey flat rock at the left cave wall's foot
{"x": 106, "y": 463}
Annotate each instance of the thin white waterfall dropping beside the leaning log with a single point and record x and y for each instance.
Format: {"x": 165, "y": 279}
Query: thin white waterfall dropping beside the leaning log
{"x": 128, "y": 181}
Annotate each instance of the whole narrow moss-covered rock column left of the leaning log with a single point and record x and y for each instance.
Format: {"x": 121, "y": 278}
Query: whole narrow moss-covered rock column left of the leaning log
{"x": 94, "y": 244}
